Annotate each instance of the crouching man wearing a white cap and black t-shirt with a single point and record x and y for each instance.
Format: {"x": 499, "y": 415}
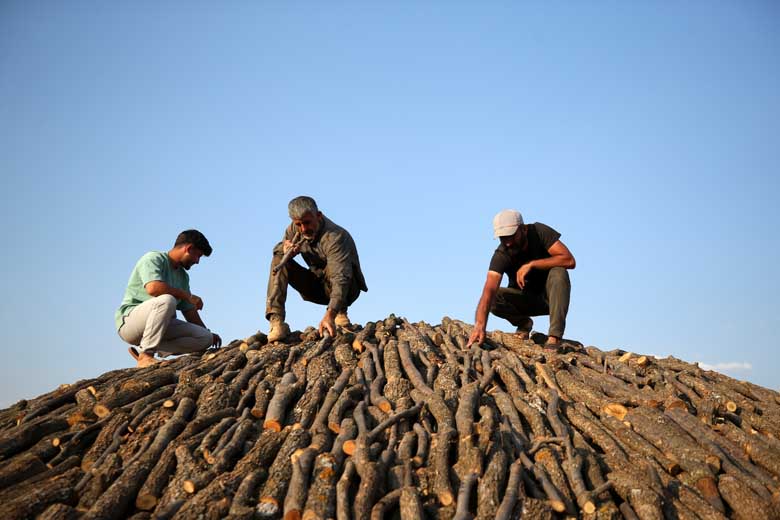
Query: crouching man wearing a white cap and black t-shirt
{"x": 536, "y": 262}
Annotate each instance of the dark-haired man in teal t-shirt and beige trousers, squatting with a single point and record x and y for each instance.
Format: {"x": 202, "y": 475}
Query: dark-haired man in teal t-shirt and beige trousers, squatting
{"x": 158, "y": 286}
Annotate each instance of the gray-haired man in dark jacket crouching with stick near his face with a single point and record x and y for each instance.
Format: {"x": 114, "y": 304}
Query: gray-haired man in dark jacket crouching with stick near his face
{"x": 333, "y": 277}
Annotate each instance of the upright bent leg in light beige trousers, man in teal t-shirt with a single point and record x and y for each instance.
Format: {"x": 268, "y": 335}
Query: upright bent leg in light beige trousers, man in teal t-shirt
{"x": 146, "y": 325}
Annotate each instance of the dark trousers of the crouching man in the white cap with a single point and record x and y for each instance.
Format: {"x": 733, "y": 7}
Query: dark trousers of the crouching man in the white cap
{"x": 516, "y": 305}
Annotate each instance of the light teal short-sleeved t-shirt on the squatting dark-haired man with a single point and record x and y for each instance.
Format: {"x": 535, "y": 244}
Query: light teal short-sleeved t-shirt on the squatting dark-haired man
{"x": 153, "y": 266}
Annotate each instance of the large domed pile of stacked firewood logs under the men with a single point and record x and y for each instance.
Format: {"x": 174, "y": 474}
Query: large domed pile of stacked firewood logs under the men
{"x": 396, "y": 420}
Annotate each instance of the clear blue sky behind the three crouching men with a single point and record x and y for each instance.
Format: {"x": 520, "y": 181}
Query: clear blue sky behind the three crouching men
{"x": 645, "y": 132}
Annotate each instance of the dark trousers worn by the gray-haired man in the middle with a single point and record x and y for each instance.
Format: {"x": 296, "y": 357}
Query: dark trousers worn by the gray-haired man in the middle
{"x": 313, "y": 288}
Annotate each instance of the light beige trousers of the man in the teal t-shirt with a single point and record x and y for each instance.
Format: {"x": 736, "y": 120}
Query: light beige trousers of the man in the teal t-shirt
{"x": 152, "y": 327}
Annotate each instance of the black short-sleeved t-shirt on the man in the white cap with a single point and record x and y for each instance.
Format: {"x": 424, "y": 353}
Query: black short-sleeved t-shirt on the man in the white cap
{"x": 507, "y": 261}
